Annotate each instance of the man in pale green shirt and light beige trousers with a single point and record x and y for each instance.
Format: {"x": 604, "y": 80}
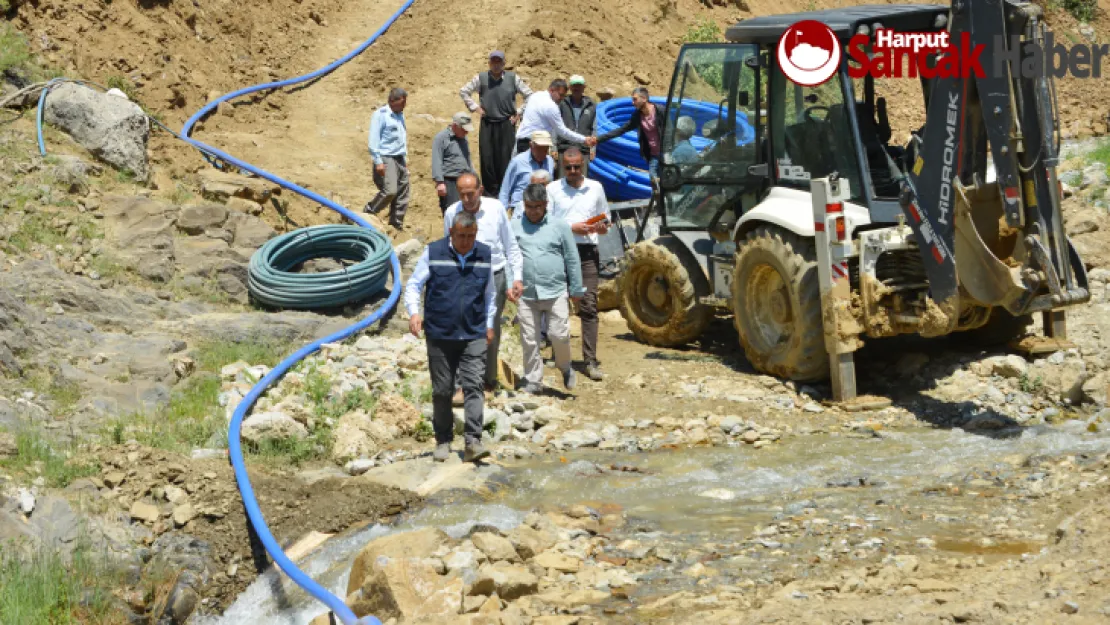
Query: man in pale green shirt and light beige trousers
{"x": 552, "y": 278}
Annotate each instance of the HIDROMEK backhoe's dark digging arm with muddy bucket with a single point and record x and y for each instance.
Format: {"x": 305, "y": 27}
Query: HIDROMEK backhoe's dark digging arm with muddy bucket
{"x": 998, "y": 244}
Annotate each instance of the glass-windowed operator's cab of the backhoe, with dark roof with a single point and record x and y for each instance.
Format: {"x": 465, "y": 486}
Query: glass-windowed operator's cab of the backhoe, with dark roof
{"x": 738, "y": 128}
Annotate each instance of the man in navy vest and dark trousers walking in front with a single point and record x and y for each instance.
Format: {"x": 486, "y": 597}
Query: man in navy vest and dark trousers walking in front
{"x": 456, "y": 277}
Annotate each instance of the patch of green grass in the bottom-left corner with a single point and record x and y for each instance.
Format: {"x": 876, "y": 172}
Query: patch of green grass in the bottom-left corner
{"x": 55, "y": 590}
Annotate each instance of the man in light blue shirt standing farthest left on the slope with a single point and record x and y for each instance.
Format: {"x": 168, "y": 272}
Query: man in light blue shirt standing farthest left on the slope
{"x": 389, "y": 147}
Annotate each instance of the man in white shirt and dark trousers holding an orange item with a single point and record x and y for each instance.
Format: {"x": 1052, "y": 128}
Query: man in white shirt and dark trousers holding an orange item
{"x": 577, "y": 200}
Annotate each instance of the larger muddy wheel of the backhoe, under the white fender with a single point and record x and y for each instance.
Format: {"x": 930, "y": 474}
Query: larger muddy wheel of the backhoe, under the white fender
{"x": 778, "y": 305}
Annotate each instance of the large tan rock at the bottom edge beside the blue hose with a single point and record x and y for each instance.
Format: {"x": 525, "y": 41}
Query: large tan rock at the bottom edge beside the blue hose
{"x": 407, "y": 590}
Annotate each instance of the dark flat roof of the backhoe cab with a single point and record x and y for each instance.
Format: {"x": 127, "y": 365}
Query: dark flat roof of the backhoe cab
{"x": 844, "y": 23}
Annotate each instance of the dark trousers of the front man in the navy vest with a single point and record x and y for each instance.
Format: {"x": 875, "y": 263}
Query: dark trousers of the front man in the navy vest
{"x": 465, "y": 361}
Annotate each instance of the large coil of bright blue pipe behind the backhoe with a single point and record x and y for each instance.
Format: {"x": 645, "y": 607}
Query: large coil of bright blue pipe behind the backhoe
{"x": 620, "y": 167}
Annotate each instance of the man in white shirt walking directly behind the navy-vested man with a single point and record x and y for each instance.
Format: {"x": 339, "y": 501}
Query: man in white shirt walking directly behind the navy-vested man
{"x": 496, "y": 231}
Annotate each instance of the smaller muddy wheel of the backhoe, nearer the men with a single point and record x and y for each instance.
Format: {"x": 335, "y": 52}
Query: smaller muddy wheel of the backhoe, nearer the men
{"x": 660, "y": 290}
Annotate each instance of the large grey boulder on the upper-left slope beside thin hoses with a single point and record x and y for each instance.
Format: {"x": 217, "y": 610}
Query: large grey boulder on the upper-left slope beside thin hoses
{"x": 113, "y": 129}
